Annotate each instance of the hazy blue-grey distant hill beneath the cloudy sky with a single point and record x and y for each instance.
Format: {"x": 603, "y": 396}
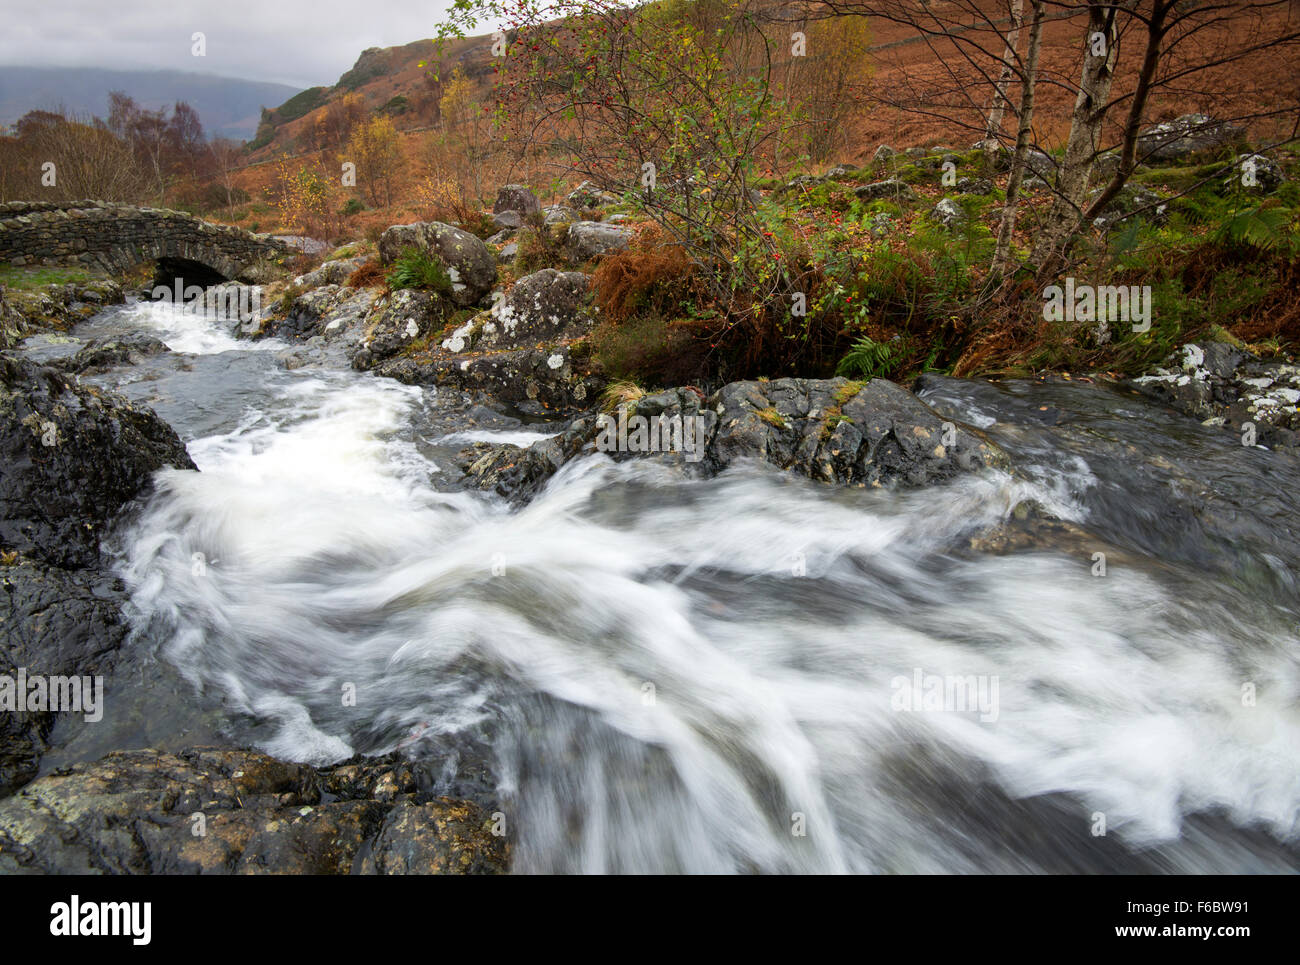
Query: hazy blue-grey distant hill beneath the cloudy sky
{"x": 228, "y": 107}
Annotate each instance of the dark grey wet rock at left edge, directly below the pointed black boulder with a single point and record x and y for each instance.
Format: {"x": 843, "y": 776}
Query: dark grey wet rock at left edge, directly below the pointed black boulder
{"x": 53, "y": 624}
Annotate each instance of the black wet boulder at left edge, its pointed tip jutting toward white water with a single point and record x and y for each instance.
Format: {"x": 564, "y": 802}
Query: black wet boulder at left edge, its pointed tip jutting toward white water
{"x": 73, "y": 457}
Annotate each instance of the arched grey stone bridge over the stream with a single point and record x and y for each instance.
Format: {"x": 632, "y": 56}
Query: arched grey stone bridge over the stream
{"x": 119, "y": 237}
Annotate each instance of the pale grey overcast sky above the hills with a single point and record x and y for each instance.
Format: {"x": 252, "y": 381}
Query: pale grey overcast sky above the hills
{"x": 297, "y": 42}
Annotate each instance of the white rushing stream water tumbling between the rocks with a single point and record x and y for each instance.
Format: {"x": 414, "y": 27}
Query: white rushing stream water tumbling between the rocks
{"x": 647, "y": 673}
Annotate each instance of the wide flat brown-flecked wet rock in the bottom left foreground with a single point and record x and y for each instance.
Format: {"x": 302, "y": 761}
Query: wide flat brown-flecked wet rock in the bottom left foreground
{"x": 138, "y": 813}
